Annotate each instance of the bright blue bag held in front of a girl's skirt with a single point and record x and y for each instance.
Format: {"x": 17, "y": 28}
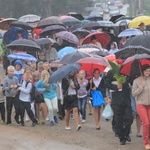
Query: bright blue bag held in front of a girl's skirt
{"x": 97, "y": 98}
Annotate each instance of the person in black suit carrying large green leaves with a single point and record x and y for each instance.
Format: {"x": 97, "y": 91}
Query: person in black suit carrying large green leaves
{"x": 121, "y": 105}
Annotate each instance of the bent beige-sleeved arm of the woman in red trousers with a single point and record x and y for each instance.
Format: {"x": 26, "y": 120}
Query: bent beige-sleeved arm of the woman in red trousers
{"x": 137, "y": 89}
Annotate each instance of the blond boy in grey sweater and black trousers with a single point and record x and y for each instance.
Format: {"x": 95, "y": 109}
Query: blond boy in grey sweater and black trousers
{"x": 10, "y": 86}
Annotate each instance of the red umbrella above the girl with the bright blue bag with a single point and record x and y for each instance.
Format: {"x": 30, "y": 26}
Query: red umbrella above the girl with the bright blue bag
{"x": 90, "y": 63}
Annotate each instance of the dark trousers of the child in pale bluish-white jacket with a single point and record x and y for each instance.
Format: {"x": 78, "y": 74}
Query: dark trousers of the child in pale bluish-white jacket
{"x": 27, "y": 106}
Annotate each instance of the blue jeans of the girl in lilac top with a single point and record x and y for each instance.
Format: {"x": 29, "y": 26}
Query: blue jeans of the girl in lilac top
{"x": 82, "y": 106}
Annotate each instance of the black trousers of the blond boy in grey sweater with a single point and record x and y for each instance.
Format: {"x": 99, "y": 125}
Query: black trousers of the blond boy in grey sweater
{"x": 10, "y": 101}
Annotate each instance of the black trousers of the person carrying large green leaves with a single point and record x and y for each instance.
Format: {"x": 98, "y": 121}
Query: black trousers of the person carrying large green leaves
{"x": 122, "y": 120}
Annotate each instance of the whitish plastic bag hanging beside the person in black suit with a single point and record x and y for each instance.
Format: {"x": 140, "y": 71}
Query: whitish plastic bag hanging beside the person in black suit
{"x": 107, "y": 112}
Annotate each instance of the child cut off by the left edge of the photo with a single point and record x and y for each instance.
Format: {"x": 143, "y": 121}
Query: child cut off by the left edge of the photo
{"x": 2, "y": 103}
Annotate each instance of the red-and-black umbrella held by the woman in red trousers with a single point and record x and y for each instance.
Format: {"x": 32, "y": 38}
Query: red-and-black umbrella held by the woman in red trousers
{"x": 135, "y": 62}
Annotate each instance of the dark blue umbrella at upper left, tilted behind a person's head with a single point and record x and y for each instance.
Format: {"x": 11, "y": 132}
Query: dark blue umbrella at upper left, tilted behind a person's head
{"x": 11, "y": 34}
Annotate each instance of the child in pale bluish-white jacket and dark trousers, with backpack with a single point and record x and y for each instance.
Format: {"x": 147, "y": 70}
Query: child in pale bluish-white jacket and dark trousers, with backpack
{"x": 25, "y": 99}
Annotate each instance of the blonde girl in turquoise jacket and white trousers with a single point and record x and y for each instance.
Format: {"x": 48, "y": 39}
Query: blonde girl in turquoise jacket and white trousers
{"x": 50, "y": 97}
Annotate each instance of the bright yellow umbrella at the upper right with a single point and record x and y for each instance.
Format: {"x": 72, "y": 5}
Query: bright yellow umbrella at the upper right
{"x": 136, "y": 21}
